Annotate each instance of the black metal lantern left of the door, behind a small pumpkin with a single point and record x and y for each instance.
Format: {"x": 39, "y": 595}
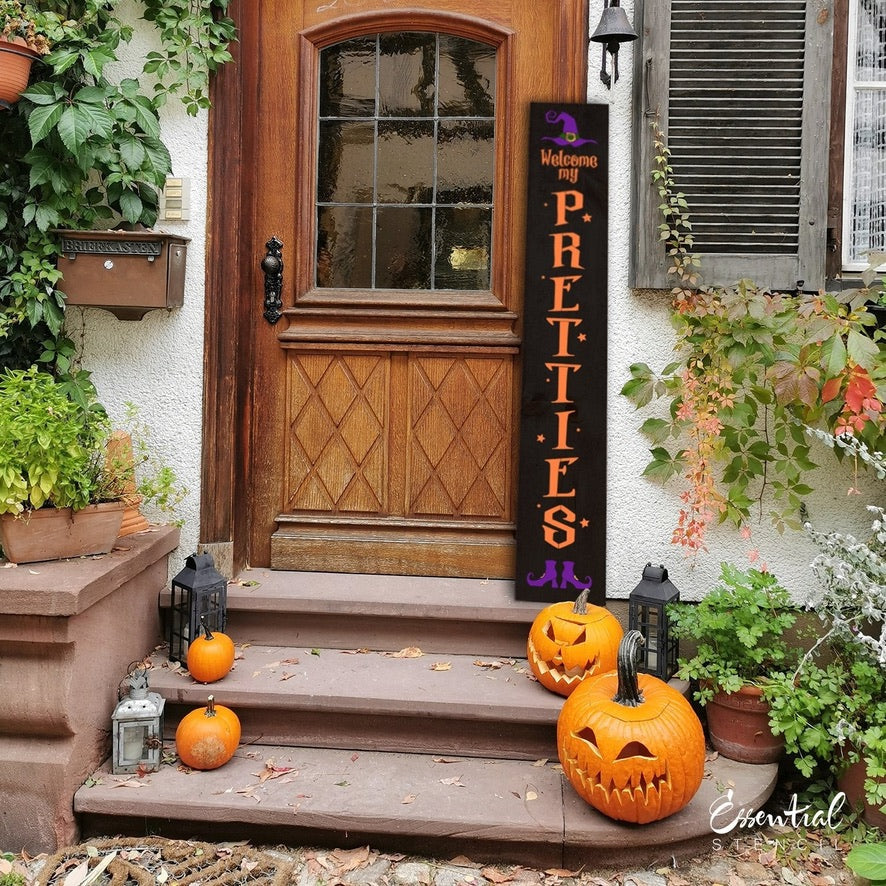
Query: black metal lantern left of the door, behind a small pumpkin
{"x": 199, "y": 593}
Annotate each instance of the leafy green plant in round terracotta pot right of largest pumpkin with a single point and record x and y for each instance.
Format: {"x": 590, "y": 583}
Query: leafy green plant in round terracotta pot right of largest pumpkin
{"x": 740, "y": 634}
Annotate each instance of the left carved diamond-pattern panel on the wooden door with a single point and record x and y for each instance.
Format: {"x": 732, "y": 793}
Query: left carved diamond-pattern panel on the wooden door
{"x": 338, "y": 411}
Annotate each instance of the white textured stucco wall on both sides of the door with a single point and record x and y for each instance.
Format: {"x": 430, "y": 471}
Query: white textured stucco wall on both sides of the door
{"x": 157, "y": 364}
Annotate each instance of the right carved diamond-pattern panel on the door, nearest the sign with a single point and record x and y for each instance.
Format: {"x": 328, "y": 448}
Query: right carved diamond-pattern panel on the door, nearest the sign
{"x": 459, "y": 450}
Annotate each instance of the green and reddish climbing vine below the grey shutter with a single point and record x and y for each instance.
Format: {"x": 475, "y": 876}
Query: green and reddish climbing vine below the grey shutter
{"x": 753, "y": 368}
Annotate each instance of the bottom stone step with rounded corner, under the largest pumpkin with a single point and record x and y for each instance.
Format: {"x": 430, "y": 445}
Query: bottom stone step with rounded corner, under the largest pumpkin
{"x": 495, "y": 810}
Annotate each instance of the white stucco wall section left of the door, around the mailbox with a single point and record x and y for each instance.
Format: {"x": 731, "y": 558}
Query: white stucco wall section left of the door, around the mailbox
{"x": 157, "y": 363}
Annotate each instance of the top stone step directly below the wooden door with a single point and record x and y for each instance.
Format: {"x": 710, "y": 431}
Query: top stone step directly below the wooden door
{"x": 380, "y": 611}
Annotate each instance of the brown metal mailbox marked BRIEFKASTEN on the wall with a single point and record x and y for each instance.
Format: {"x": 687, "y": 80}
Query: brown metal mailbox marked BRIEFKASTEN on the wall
{"x": 126, "y": 272}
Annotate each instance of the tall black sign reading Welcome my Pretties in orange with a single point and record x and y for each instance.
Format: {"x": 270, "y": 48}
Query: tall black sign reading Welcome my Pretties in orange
{"x": 561, "y": 511}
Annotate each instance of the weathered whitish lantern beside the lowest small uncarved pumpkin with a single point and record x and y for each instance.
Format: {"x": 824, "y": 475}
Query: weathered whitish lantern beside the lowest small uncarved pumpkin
{"x": 137, "y": 725}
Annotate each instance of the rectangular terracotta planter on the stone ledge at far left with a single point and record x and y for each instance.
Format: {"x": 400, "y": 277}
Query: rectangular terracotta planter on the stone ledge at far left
{"x": 57, "y": 533}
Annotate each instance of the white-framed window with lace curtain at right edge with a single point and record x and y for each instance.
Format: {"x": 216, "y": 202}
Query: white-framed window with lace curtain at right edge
{"x": 864, "y": 190}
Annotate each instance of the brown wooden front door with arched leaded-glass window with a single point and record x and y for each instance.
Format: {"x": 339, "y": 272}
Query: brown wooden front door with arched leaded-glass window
{"x": 389, "y": 147}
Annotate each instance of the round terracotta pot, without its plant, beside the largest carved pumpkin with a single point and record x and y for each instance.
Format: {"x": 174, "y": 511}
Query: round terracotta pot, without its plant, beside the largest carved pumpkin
{"x": 738, "y": 726}
